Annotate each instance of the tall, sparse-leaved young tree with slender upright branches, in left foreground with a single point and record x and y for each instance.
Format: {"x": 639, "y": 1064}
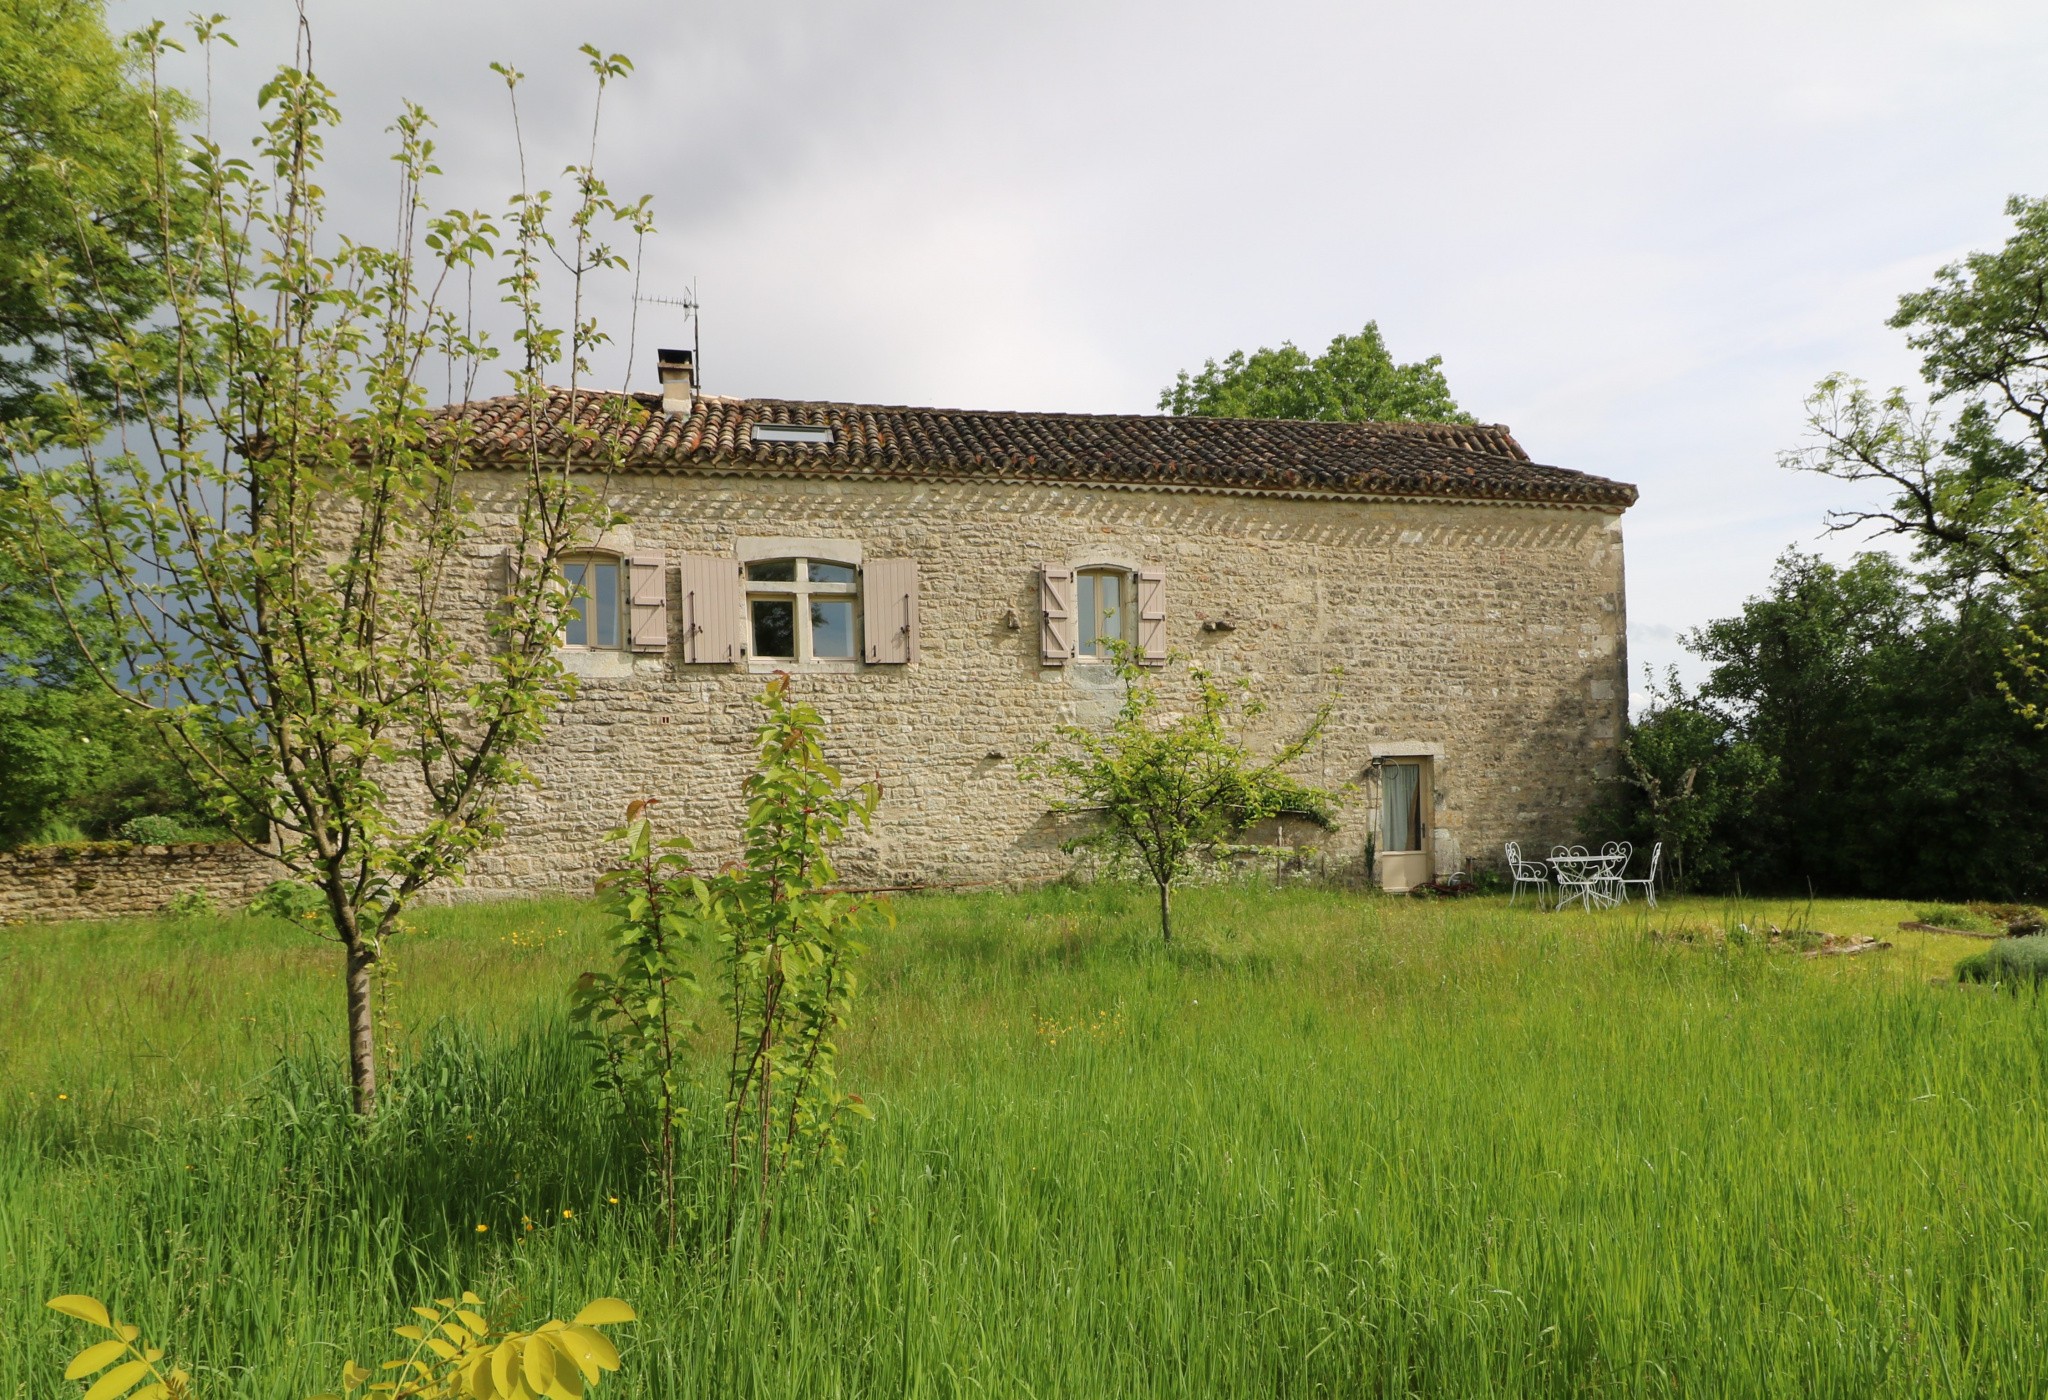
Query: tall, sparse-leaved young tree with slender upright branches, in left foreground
{"x": 269, "y": 515}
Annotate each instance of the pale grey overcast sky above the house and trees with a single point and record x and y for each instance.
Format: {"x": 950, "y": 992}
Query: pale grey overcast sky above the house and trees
{"x": 1635, "y": 232}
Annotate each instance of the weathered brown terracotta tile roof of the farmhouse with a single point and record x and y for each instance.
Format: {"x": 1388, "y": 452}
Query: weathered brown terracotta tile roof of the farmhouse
{"x": 1093, "y": 449}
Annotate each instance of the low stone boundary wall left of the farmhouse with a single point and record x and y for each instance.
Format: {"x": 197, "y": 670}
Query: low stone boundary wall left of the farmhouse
{"x": 110, "y": 879}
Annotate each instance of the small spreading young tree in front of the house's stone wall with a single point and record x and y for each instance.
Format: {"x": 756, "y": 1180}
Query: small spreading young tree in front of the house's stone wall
{"x": 1168, "y": 785}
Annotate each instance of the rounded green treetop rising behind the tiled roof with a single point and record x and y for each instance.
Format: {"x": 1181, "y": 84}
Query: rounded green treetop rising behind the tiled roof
{"x": 1355, "y": 380}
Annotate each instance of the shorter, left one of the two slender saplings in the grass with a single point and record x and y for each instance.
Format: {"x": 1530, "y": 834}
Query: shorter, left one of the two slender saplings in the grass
{"x": 640, "y": 1014}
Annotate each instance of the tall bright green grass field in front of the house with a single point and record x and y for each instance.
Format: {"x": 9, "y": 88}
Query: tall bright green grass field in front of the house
{"x": 1326, "y": 1145}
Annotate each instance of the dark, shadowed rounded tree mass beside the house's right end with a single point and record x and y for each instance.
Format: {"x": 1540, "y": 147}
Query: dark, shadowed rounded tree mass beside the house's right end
{"x": 1850, "y": 738}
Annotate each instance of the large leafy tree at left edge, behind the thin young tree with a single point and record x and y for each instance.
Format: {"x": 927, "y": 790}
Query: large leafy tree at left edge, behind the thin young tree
{"x": 85, "y": 152}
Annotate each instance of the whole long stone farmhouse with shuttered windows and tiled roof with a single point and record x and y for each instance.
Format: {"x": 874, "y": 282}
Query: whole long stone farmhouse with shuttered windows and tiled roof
{"x": 943, "y": 586}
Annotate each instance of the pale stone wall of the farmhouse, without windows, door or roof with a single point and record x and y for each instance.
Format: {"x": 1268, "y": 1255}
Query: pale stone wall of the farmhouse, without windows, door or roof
{"x": 1486, "y": 638}
